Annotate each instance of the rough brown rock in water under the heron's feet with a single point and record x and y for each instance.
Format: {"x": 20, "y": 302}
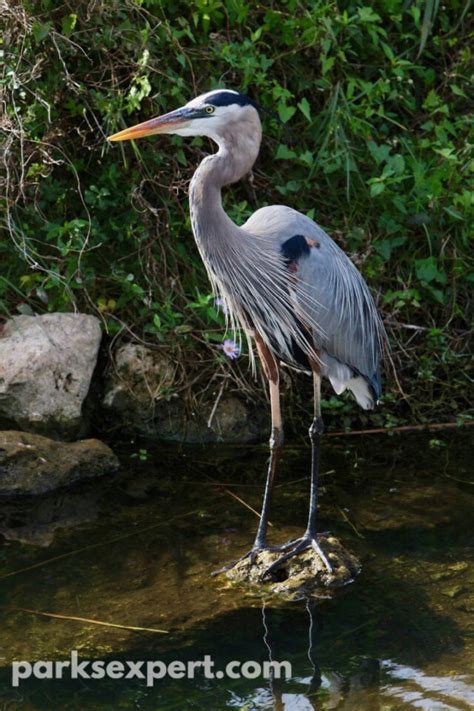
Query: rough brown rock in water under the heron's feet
{"x": 303, "y": 575}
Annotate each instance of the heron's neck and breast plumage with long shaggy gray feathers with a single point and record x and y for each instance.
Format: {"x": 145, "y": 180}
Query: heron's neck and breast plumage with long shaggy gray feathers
{"x": 241, "y": 267}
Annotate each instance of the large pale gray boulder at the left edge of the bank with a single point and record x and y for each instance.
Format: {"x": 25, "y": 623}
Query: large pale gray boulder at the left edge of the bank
{"x": 46, "y": 366}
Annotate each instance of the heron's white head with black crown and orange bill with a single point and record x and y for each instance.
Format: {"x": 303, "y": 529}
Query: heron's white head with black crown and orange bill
{"x": 213, "y": 114}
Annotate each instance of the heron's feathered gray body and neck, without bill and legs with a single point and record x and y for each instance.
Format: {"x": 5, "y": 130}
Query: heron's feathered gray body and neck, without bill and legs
{"x": 281, "y": 275}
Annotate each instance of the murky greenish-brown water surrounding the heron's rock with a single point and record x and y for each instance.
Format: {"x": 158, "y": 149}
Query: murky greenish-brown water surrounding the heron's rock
{"x": 400, "y": 637}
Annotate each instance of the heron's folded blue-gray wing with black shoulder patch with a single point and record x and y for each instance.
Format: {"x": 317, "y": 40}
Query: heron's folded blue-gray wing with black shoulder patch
{"x": 331, "y": 294}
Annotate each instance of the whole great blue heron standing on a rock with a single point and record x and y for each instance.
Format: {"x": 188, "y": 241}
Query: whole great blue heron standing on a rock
{"x": 283, "y": 279}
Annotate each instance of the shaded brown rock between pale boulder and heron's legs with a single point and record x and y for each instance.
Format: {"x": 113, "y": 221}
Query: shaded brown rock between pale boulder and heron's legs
{"x": 139, "y": 399}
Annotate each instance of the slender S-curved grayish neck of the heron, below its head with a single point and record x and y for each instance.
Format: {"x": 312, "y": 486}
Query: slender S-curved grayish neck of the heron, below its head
{"x": 237, "y": 153}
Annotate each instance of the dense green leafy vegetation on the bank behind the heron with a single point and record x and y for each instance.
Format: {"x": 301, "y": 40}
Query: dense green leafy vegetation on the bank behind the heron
{"x": 378, "y": 150}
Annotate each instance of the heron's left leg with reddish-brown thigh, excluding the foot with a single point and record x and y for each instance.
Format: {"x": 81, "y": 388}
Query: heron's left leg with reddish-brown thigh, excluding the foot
{"x": 270, "y": 367}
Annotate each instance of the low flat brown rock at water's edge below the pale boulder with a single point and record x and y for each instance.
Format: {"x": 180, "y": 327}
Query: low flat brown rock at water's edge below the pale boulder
{"x": 32, "y": 464}
